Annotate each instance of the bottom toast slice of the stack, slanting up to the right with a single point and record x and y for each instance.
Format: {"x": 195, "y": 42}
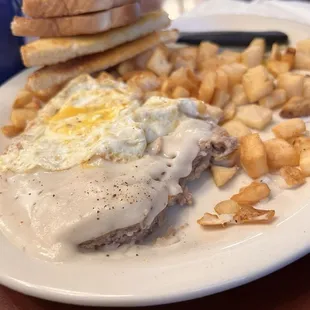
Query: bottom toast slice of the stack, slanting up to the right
{"x": 54, "y": 75}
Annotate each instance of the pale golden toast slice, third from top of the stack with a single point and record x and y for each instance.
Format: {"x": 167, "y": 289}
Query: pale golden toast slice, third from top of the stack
{"x": 51, "y": 51}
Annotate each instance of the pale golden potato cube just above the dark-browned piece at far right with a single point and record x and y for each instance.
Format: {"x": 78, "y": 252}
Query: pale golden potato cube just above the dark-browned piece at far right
{"x": 292, "y": 83}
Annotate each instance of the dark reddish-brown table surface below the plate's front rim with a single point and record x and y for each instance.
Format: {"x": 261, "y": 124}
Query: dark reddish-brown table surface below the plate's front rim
{"x": 286, "y": 289}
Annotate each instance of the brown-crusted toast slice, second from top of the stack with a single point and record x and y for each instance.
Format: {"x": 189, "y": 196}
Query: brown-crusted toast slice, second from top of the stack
{"x": 77, "y": 25}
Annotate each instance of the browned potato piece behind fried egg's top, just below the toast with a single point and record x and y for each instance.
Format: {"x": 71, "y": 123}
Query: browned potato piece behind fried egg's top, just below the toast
{"x": 144, "y": 80}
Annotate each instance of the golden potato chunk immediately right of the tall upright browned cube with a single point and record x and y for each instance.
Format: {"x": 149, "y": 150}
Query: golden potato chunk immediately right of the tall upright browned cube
{"x": 280, "y": 154}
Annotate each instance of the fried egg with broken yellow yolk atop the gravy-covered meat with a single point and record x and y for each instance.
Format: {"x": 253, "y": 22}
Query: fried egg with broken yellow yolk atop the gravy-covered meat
{"x": 90, "y": 118}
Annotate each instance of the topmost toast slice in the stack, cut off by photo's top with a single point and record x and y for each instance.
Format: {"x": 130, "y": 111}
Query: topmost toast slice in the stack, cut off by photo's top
{"x": 57, "y": 8}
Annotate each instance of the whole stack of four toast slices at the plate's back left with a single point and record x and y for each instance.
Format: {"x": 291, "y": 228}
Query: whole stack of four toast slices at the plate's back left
{"x": 77, "y": 36}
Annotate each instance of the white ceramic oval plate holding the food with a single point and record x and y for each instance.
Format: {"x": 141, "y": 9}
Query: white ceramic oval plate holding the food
{"x": 202, "y": 262}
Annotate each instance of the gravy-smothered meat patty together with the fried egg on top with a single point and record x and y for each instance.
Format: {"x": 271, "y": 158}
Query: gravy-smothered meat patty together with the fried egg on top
{"x": 108, "y": 162}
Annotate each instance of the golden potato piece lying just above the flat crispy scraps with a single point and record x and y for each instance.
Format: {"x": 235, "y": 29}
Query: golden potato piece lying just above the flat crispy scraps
{"x": 252, "y": 194}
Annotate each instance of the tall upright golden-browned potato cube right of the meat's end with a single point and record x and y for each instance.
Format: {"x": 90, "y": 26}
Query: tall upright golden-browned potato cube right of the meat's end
{"x": 253, "y": 156}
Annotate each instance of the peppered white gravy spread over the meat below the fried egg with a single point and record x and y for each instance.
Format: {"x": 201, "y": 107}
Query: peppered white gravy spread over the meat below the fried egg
{"x": 49, "y": 213}
